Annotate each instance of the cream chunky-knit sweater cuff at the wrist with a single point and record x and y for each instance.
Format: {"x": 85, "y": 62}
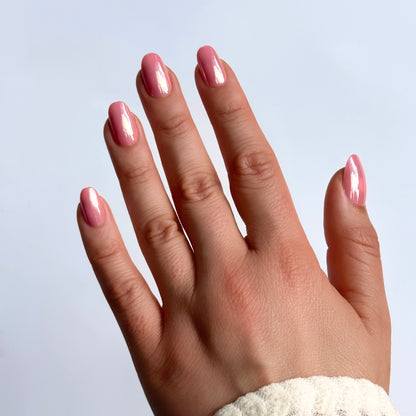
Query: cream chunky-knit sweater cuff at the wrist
{"x": 314, "y": 396}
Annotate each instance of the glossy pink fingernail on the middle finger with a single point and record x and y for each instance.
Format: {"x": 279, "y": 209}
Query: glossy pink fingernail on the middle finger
{"x": 155, "y": 76}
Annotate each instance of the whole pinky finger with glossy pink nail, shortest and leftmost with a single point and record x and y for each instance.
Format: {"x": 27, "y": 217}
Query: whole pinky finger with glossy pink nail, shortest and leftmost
{"x": 134, "y": 306}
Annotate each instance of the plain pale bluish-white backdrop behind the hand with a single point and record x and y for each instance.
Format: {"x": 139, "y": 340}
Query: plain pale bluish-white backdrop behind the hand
{"x": 325, "y": 78}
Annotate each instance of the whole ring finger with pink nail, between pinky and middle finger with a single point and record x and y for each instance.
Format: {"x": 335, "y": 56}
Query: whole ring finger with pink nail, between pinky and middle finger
{"x": 158, "y": 230}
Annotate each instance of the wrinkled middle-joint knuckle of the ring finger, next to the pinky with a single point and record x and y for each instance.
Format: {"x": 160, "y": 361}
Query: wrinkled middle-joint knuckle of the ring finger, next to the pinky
{"x": 160, "y": 230}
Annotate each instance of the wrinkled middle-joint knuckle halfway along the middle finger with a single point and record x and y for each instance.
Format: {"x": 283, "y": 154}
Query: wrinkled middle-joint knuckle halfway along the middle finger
{"x": 197, "y": 187}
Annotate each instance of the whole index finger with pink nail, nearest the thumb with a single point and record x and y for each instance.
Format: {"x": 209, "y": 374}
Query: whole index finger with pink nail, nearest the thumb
{"x": 257, "y": 183}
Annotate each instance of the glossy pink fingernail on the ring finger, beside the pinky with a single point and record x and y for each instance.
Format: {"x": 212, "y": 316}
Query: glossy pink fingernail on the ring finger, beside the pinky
{"x": 123, "y": 127}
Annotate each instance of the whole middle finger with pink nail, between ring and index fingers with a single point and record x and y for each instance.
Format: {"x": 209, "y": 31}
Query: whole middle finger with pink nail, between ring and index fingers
{"x": 196, "y": 190}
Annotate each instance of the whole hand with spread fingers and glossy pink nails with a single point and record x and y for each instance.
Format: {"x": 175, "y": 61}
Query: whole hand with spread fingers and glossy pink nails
{"x": 238, "y": 312}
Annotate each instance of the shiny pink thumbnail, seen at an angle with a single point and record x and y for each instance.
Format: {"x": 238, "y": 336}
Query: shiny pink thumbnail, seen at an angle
{"x": 353, "y": 181}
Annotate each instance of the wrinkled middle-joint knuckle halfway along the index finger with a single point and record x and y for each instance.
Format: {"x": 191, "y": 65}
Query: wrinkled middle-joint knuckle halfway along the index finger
{"x": 253, "y": 165}
